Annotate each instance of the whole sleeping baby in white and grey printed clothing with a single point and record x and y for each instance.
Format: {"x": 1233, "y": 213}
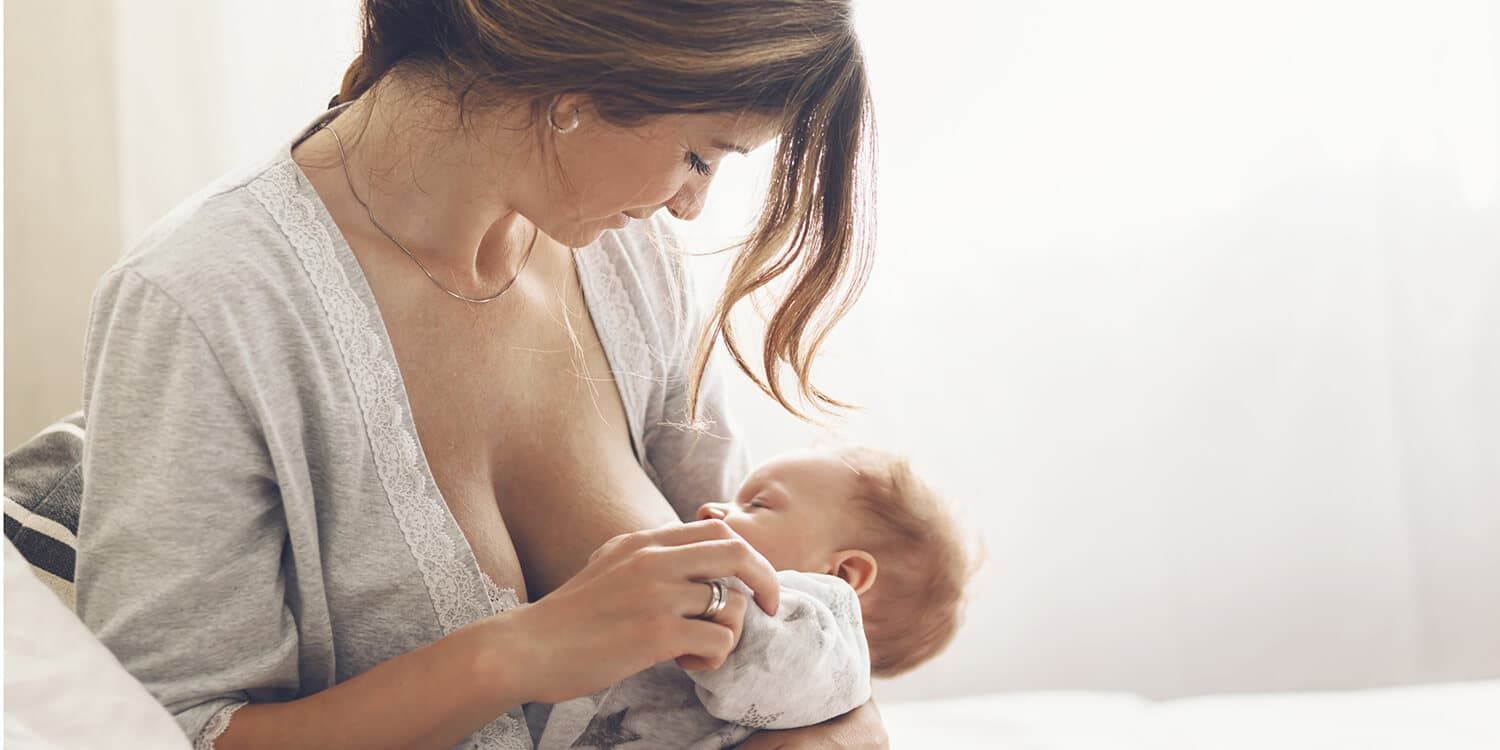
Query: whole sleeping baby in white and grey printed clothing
{"x": 872, "y": 572}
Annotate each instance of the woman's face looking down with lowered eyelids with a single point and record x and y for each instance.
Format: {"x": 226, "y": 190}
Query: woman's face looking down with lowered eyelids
{"x": 605, "y": 176}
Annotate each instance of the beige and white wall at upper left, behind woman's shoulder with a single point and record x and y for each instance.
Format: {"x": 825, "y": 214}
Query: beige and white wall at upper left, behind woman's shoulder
{"x": 116, "y": 113}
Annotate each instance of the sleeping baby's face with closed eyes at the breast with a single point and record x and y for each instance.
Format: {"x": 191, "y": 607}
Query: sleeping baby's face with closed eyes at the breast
{"x": 796, "y": 511}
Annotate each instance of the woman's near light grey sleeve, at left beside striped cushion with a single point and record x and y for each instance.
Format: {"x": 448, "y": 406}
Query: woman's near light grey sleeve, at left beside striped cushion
{"x": 181, "y": 527}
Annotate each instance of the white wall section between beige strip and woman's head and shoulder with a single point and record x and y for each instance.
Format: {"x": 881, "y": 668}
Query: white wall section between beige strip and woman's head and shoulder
{"x": 206, "y": 88}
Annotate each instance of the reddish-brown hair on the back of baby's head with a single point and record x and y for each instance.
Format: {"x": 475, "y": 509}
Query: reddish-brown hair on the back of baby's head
{"x": 914, "y": 608}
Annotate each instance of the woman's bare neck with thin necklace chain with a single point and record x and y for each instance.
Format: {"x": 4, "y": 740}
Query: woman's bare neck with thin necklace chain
{"x": 436, "y": 185}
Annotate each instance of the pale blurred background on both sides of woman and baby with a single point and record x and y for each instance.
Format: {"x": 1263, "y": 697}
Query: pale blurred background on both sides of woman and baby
{"x": 1193, "y": 310}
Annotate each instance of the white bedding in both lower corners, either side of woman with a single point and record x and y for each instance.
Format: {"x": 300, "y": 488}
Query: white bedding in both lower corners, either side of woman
{"x": 64, "y": 689}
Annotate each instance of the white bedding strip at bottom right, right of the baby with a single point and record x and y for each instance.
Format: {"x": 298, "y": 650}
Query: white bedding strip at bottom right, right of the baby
{"x": 1429, "y": 718}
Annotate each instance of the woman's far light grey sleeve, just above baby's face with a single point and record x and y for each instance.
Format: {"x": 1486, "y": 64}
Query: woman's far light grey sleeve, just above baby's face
{"x": 709, "y": 461}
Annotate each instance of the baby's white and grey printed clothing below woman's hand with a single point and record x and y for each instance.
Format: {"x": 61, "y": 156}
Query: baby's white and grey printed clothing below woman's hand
{"x": 805, "y": 665}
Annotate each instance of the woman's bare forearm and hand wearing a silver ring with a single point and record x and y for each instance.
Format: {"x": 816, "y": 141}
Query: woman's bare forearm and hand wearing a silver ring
{"x": 634, "y": 607}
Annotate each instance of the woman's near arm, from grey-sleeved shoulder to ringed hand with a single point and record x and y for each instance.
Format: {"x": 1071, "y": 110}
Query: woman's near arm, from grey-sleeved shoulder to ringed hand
{"x": 181, "y": 571}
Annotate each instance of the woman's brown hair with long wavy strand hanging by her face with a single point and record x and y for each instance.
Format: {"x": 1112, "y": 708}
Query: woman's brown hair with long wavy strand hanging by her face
{"x": 797, "y": 61}
